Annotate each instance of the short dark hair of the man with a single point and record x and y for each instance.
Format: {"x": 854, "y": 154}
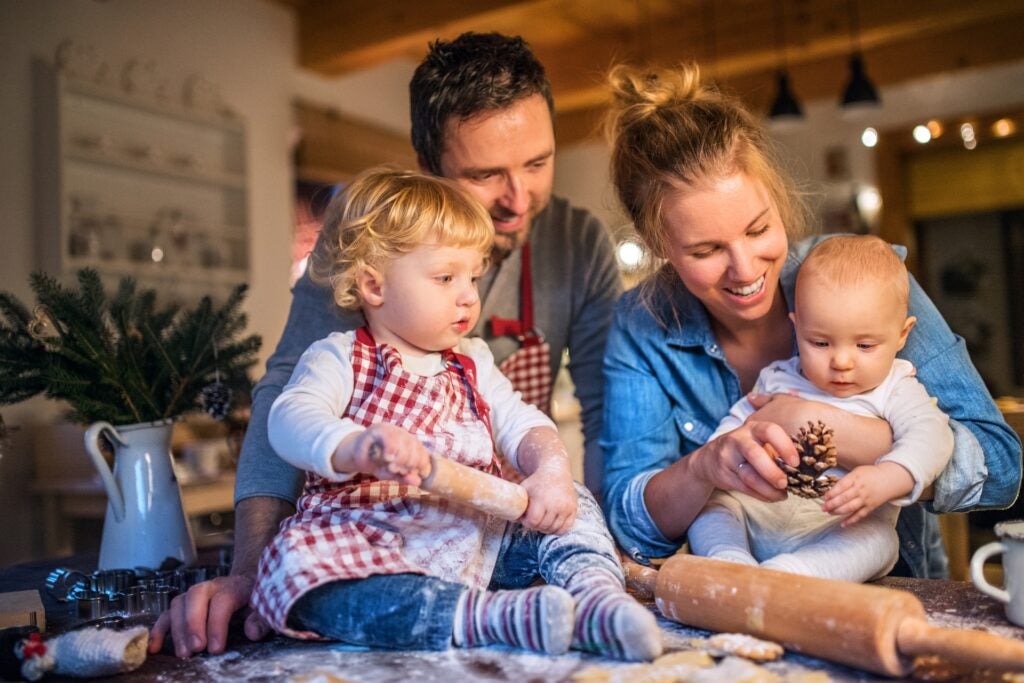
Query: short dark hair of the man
{"x": 475, "y": 73}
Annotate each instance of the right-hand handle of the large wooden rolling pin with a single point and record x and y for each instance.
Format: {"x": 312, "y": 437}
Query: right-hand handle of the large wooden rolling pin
{"x": 975, "y": 649}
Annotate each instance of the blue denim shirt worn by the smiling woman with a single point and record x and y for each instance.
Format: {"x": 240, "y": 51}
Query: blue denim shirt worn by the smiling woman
{"x": 668, "y": 385}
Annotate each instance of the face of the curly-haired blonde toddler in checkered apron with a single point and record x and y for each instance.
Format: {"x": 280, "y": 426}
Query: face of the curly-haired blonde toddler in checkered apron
{"x": 430, "y": 298}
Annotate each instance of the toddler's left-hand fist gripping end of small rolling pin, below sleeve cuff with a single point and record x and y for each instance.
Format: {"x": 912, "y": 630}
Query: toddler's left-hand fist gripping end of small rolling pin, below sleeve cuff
{"x": 389, "y": 452}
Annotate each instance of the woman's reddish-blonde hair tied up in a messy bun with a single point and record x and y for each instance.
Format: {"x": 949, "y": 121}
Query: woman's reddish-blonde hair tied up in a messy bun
{"x": 668, "y": 130}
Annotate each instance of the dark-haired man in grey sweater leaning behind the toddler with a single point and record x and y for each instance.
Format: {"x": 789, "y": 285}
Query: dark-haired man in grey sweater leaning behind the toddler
{"x": 482, "y": 115}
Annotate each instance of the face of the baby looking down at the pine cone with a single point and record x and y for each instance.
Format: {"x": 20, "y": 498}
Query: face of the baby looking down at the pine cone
{"x": 848, "y": 337}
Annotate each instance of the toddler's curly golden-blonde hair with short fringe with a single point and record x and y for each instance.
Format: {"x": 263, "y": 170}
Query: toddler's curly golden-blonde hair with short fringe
{"x": 387, "y": 212}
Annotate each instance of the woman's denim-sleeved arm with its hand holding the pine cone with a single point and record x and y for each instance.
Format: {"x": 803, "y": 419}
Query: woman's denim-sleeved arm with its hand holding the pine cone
{"x": 655, "y": 414}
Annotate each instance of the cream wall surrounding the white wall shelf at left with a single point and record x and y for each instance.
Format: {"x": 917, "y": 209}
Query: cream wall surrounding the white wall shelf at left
{"x": 245, "y": 47}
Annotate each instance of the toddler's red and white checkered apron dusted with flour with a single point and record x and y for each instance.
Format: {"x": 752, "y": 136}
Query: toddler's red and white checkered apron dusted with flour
{"x": 366, "y": 527}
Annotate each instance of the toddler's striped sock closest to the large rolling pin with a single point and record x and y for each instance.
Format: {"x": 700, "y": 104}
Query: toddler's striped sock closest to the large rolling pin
{"x": 610, "y": 622}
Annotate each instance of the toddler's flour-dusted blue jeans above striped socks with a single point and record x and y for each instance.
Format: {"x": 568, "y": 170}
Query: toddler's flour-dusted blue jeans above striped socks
{"x": 417, "y": 612}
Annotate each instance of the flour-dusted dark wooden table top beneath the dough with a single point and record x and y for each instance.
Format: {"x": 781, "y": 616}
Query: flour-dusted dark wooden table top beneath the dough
{"x": 953, "y": 605}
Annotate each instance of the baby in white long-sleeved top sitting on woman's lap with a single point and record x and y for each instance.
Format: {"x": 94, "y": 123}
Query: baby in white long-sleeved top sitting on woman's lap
{"x": 850, "y": 315}
